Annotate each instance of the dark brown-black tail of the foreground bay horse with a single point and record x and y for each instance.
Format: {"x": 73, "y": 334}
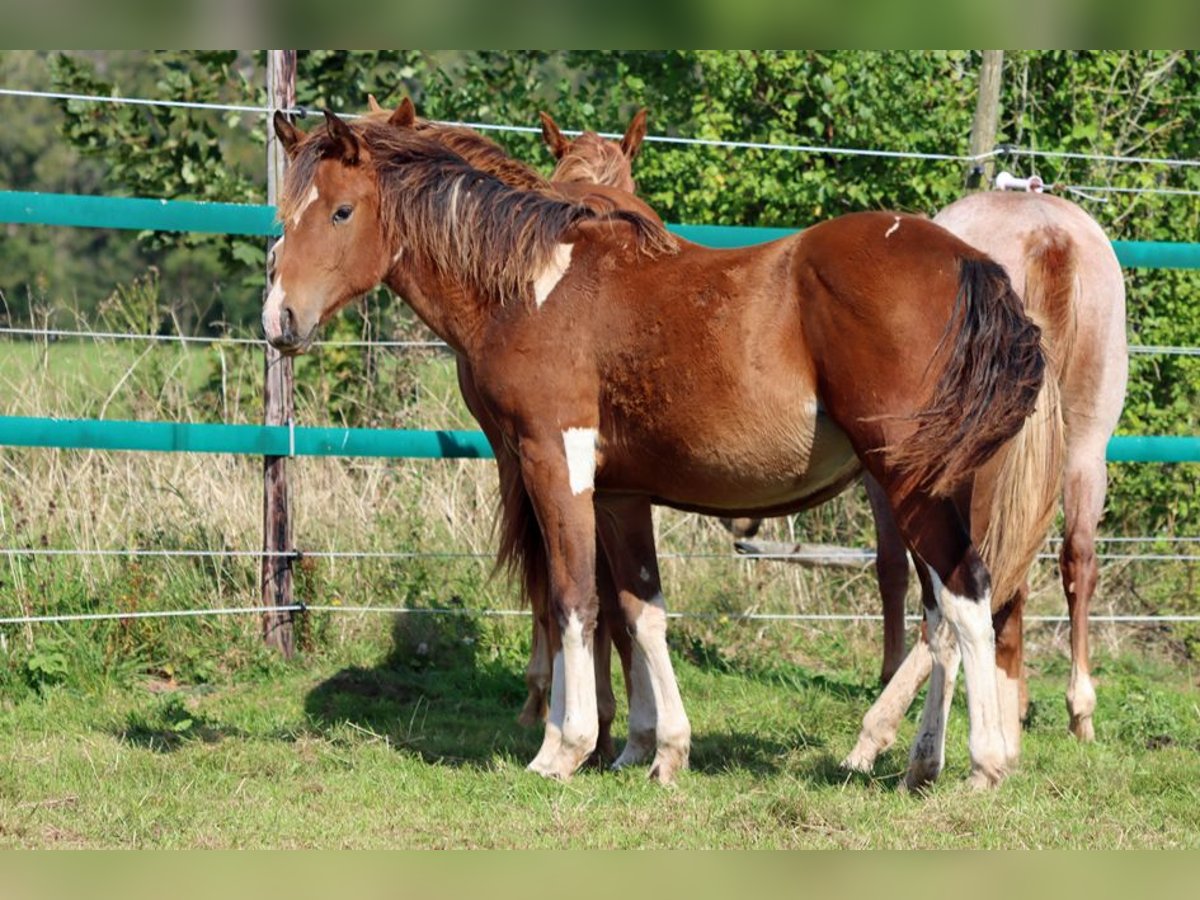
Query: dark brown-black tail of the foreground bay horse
{"x": 989, "y": 385}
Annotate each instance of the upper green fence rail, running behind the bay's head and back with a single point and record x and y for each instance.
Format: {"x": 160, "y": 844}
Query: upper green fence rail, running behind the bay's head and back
{"x": 140, "y": 214}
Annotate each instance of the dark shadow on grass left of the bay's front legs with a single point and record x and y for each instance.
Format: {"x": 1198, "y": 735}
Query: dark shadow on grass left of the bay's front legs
{"x": 433, "y": 695}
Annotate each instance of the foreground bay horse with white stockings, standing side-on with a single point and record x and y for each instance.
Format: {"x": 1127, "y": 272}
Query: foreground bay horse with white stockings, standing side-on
{"x": 613, "y": 359}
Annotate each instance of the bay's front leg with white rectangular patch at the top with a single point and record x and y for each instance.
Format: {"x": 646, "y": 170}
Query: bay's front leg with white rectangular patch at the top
{"x": 559, "y": 472}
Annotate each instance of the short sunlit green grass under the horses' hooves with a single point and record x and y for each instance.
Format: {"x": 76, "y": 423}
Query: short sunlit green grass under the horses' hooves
{"x": 367, "y": 748}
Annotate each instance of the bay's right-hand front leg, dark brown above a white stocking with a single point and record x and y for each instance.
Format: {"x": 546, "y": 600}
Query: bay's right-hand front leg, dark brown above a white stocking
{"x": 657, "y": 718}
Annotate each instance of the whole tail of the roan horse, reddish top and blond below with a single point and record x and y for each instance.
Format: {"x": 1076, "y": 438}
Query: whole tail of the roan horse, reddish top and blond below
{"x": 1030, "y": 478}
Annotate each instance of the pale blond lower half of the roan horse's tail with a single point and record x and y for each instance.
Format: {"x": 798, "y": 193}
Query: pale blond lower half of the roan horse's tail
{"x": 1025, "y": 495}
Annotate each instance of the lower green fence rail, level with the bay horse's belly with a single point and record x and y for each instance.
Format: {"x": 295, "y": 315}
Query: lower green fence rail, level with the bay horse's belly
{"x": 278, "y": 441}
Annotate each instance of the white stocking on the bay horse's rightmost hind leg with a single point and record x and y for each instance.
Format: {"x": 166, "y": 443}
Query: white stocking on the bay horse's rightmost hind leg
{"x": 971, "y": 621}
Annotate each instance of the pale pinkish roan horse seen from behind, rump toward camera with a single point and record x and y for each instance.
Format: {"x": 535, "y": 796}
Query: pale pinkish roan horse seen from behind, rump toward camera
{"x": 1073, "y": 283}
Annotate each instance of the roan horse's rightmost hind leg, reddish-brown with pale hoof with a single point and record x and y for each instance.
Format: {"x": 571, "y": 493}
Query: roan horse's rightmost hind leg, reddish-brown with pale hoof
{"x": 1083, "y": 505}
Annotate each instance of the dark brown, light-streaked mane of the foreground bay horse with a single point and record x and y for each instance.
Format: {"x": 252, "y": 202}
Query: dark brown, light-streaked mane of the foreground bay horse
{"x": 457, "y": 217}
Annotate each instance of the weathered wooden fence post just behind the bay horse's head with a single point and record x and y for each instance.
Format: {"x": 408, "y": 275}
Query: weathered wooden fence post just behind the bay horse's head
{"x": 278, "y": 400}
